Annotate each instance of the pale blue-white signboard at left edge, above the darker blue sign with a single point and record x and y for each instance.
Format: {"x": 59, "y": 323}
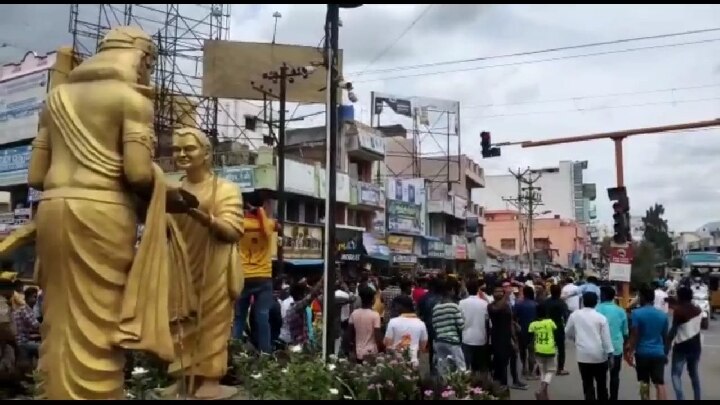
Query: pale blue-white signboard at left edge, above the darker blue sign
{"x": 21, "y": 99}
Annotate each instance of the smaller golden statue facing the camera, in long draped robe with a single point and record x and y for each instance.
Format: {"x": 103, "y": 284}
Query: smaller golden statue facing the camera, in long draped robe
{"x": 211, "y": 233}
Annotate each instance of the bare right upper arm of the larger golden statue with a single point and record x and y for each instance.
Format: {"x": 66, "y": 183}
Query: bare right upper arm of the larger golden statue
{"x": 138, "y": 141}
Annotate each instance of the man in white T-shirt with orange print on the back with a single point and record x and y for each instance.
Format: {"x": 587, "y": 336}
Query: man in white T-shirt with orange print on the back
{"x": 407, "y": 331}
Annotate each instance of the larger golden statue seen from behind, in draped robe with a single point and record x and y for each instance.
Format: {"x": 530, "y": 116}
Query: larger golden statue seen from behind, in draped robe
{"x": 92, "y": 158}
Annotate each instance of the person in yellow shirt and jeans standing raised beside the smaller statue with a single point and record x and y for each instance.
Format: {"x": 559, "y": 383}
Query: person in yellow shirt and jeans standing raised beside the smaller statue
{"x": 256, "y": 261}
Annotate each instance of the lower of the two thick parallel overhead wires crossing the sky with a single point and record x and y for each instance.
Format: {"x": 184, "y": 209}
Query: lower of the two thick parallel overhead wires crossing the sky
{"x": 530, "y": 62}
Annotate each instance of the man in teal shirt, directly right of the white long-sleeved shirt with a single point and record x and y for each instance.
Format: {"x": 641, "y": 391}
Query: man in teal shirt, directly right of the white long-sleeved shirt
{"x": 617, "y": 320}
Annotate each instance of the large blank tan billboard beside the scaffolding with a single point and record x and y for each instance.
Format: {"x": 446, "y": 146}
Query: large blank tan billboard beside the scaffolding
{"x": 230, "y": 66}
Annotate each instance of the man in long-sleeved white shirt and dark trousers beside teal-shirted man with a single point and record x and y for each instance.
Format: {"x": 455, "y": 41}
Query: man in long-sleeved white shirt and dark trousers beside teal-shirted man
{"x": 593, "y": 347}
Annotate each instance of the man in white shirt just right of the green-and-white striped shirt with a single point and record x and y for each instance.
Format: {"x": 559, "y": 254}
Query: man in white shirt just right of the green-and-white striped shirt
{"x": 477, "y": 323}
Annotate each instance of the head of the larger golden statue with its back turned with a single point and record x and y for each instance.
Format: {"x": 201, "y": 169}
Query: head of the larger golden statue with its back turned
{"x": 133, "y": 40}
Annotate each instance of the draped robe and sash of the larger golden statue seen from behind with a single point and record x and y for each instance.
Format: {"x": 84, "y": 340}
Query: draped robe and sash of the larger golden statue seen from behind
{"x": 100, "y": 295}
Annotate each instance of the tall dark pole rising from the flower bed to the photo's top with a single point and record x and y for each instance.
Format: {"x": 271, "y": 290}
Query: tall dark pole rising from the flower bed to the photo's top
{"x": 332, "y": 24}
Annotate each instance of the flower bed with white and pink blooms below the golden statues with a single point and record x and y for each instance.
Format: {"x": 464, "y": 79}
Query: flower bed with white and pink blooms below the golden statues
{"x": 301, "y": 374}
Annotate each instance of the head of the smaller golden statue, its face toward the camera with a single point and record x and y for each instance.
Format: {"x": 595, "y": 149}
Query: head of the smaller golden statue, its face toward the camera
{"x": 192, "y": 149}
